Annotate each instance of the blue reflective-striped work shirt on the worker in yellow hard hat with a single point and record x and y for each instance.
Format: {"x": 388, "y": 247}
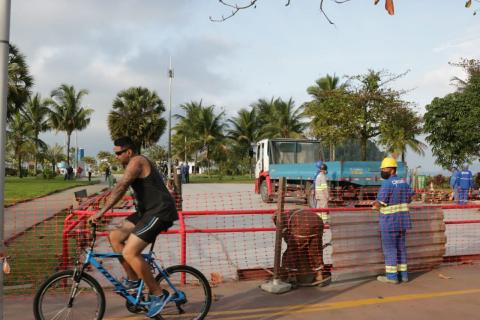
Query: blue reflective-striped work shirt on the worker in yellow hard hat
{"x": 394, "y": 196}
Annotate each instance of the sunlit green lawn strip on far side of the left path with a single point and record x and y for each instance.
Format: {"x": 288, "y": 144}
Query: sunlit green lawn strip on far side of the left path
{"x": 17, "y": 189}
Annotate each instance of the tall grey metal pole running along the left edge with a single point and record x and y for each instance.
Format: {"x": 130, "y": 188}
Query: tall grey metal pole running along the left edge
{"x": 4, "y": 50}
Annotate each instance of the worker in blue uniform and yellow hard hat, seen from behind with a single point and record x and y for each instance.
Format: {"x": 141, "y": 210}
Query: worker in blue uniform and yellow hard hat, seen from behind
{"x": 392, "y": 202}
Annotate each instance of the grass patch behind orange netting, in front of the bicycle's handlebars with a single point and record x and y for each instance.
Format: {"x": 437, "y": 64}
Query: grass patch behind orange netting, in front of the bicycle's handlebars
{"x": 35, "y": 255}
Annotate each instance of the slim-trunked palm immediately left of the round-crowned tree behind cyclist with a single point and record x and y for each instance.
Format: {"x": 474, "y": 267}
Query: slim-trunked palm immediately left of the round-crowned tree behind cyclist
{"x": 66, "y": 113}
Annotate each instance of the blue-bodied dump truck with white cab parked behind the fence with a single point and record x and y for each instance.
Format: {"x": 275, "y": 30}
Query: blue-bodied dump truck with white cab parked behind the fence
{"x": 352, "y": 183}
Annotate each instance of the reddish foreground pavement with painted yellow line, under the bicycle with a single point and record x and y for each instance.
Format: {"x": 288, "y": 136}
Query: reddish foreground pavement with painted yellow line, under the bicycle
{"x": 450, "y": 292}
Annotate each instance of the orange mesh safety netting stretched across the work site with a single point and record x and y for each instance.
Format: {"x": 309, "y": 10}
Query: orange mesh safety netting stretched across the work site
{"x": 231, "y": 235}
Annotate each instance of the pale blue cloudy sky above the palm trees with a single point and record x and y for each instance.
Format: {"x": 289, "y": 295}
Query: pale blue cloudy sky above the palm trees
{"x": 109, "y": 45}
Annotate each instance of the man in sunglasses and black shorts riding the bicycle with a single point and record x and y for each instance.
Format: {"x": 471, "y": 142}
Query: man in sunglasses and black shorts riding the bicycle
{"x": 156, "y": 212}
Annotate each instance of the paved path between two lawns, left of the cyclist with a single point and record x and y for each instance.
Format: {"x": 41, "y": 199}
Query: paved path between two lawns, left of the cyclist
{"x": 23, "y": 216}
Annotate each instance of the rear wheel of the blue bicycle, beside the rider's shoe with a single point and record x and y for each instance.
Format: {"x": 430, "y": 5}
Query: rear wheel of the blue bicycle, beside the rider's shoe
{"x": 196, "y": 289}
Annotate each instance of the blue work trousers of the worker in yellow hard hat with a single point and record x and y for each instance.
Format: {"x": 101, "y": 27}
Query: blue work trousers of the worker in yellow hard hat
{"x": 395, "y": 252}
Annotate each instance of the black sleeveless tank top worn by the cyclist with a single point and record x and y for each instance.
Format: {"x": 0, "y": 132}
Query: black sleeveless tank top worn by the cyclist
{"x": 153, "y": 197}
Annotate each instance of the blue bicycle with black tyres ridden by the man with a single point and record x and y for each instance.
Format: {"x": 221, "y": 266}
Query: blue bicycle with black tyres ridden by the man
{"x": 74, "y": 294}
